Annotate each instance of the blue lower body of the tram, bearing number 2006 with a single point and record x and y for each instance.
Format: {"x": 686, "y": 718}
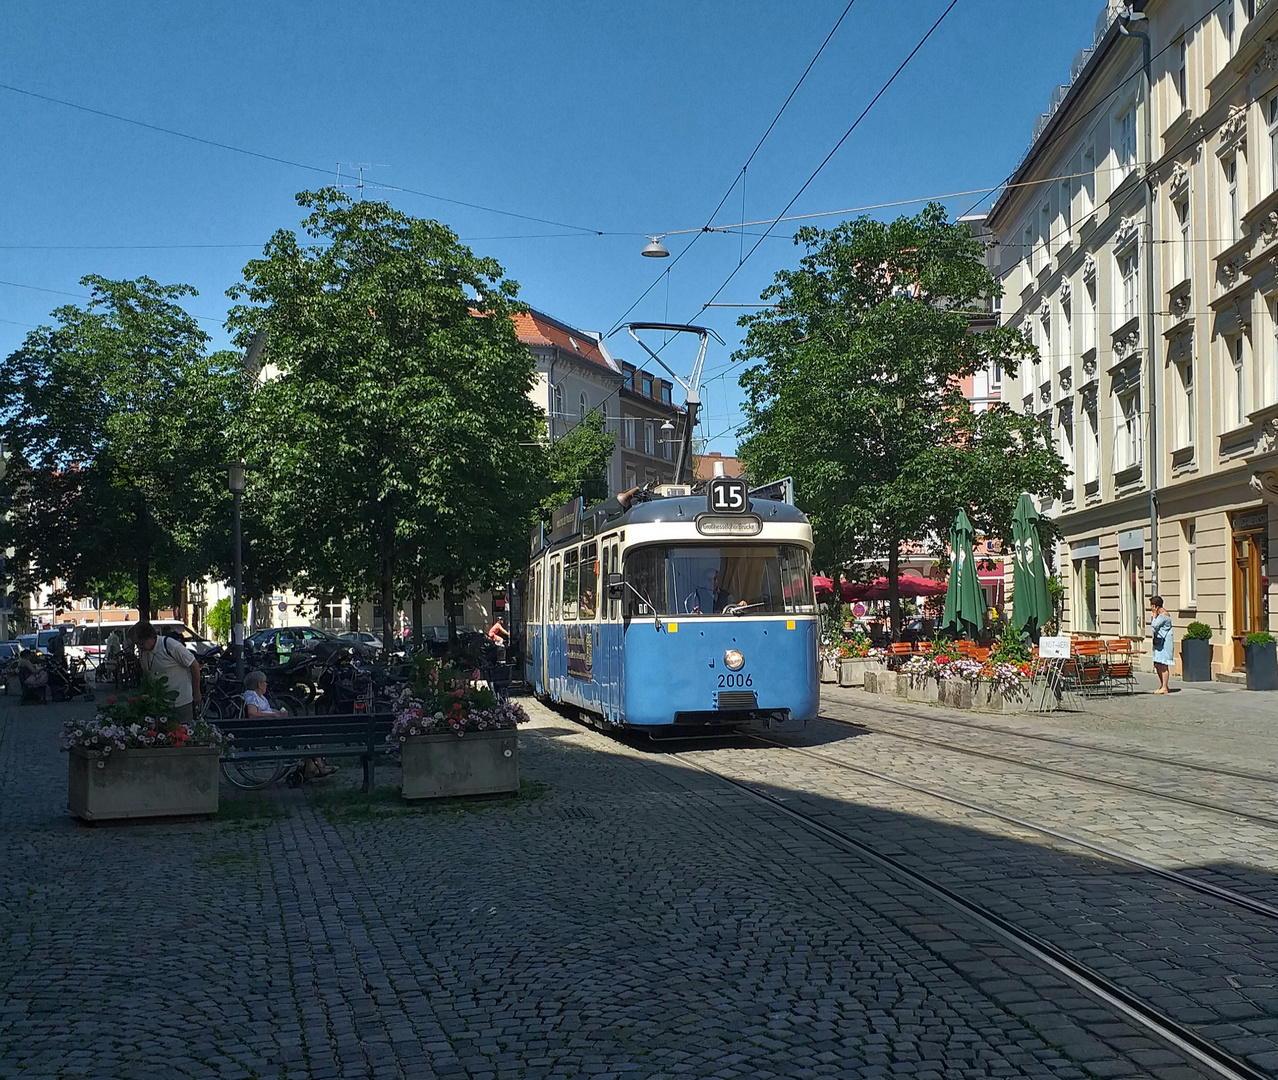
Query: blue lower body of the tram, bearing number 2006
{"x": 677, "y": 674}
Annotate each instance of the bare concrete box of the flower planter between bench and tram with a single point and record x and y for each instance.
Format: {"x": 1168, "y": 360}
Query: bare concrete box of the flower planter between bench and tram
{"x": 447, "y": 766}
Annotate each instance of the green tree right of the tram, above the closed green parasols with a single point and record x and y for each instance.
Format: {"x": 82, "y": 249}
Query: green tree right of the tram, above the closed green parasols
{"x": 854, "y": 390}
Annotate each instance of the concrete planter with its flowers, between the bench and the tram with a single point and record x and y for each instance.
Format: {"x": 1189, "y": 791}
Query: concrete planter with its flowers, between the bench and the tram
{"x": 454, "y": 737}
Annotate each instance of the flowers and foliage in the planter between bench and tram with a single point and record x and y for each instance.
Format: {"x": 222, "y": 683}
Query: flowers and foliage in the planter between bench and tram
{"x": 442, "y": 700}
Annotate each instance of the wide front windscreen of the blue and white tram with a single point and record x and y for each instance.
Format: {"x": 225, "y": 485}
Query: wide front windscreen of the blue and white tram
{"x": 739, "y": 580}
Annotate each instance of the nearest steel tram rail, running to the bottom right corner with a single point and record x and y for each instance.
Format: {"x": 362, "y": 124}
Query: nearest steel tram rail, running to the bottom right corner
{"x": 1180, "y": 1037}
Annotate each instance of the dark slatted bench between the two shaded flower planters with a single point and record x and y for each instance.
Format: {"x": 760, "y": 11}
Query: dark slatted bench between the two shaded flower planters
{"x": 281, "y": 739}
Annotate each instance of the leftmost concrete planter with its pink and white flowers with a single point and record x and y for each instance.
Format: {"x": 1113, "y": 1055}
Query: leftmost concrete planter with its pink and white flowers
{"x": 134, "y": 760}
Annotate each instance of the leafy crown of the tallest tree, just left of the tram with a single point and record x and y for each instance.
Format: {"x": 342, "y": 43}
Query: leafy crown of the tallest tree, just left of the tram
{"x": 402, "y": 436}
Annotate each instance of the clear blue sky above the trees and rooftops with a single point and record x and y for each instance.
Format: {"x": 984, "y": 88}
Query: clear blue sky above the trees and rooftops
{"x": 623, "y": 118}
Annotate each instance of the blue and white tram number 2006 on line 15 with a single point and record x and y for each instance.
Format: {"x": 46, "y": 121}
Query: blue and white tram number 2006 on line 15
{"x": 672, "y": 615}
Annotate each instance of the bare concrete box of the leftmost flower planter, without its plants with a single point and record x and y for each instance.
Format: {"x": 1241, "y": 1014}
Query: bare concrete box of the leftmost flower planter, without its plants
{"x": 149, "y": 783}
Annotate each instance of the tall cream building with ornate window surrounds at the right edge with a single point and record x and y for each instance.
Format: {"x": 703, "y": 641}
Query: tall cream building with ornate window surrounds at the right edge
{"x": 1138, "y": 246}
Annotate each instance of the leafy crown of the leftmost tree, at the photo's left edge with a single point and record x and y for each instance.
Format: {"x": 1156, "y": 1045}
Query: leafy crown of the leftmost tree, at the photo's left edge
{"x": 118, "y": 416}
